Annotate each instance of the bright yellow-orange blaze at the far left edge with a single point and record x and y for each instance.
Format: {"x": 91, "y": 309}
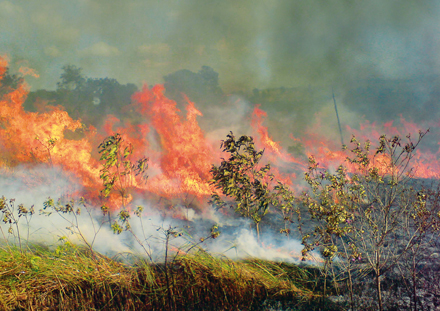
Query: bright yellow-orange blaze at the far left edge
{"x": 29, "y": 138}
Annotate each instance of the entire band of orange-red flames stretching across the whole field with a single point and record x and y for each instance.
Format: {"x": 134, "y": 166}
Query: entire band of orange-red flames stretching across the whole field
{"x": 180, "y": 154}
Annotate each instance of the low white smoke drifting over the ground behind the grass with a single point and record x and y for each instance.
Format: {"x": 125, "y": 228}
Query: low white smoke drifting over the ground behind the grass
{"x": 149, "y": 229}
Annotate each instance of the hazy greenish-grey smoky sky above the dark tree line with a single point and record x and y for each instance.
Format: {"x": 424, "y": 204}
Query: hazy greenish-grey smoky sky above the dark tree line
{"x": 250, "y": 43}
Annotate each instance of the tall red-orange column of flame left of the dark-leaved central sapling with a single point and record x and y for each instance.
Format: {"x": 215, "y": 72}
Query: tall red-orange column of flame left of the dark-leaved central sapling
{"x": 186, "y": 156}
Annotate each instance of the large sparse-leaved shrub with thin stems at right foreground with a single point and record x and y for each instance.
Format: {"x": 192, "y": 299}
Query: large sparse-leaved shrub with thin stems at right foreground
{"x": 369, "y": 214}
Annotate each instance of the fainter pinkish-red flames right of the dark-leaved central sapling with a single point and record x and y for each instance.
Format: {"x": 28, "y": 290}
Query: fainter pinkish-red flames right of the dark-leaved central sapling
{"x": 329, "y": 154}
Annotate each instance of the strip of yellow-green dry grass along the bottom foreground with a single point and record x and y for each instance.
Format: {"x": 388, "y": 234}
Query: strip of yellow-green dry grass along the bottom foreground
{"x": 71, "y": 278}
